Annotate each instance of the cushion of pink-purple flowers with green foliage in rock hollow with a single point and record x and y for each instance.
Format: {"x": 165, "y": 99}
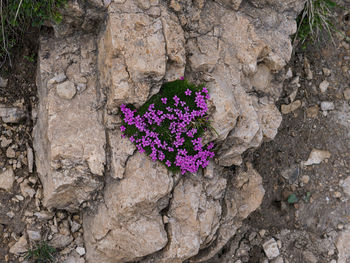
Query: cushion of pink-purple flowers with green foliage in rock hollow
{"x": 167, "y": 127}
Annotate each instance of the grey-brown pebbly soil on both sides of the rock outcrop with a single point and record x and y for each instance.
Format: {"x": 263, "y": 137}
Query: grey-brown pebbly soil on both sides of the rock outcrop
{"x": 309, "y": 225}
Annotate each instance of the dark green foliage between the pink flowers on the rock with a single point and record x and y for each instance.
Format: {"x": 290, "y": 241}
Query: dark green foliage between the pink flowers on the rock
{"x": 169, "y": 90}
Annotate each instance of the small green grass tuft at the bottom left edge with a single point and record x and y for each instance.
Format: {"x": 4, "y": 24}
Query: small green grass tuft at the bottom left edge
{"x": 43, "y": 253}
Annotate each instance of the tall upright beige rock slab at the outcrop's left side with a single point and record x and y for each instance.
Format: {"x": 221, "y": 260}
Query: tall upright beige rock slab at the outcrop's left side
{"x": 69, "y": 138}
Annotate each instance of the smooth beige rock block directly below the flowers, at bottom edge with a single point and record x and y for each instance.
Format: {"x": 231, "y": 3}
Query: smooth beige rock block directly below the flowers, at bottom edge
{"x": 129, "y": 225}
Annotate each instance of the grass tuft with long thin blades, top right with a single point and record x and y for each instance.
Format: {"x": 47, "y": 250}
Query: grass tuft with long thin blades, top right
{"x": 315, "y": 19}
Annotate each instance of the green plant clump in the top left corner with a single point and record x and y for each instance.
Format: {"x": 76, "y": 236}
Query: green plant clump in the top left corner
{"x": 18, "y": 16}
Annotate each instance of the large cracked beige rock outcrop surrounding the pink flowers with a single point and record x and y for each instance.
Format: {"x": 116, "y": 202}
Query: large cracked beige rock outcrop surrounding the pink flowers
{"x": 123, "y": 54}
